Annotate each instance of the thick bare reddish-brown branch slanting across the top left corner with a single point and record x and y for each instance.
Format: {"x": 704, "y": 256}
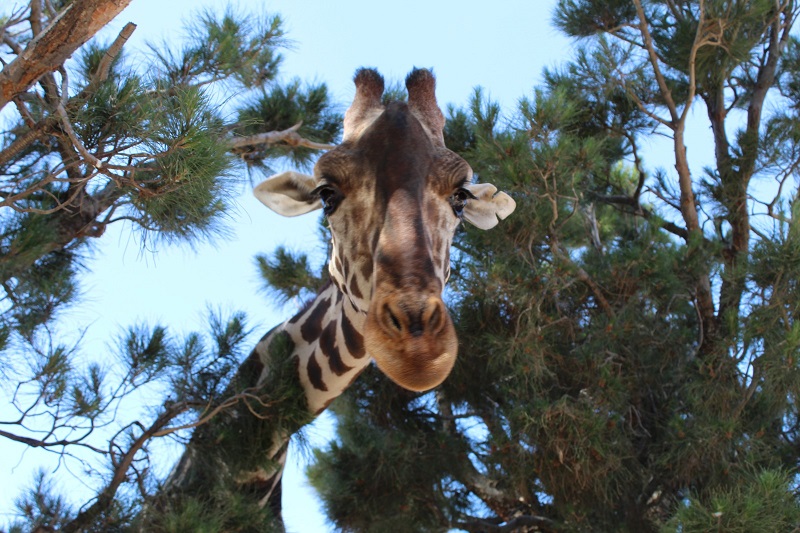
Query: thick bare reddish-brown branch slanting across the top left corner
{"x": 50, "y": 48}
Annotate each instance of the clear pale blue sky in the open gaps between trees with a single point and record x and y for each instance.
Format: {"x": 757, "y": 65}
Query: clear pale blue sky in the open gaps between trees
{"x": 502, "y": 46}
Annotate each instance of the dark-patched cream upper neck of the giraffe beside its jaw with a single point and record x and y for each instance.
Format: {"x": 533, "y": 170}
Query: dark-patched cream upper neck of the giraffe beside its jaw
{"x": 328, "y": 346}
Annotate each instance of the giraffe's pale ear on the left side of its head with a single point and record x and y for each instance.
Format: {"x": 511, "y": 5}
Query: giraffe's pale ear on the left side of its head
{"x": 288, "y": 193}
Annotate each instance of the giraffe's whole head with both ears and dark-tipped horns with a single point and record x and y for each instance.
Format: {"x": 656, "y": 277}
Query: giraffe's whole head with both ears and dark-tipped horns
{"x": 394, "y": 196}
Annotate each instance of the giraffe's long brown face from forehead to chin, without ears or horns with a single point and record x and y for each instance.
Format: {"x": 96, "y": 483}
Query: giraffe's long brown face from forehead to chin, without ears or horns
{"x": 390, "y": 198}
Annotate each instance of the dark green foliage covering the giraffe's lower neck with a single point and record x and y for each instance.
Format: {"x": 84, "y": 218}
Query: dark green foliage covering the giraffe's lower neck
{"x": 233, "y": 446}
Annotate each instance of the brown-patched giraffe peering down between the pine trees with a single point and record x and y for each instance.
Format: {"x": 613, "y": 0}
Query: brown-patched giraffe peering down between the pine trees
{"x": 393, "y": 195}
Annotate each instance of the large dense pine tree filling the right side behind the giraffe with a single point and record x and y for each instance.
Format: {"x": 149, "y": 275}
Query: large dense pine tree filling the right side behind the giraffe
{"x": 628, "y": 343}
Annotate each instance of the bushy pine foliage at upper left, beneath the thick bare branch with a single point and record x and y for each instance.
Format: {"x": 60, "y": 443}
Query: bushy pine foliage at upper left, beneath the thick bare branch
{"x": 161, "y": 135}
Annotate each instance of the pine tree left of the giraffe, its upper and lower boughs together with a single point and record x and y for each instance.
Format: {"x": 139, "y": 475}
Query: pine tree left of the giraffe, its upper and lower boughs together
{"x": 155, "y": 141}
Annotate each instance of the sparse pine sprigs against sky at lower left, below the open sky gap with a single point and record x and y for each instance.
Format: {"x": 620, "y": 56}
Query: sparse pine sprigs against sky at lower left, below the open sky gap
{"x": 191, "y": 374}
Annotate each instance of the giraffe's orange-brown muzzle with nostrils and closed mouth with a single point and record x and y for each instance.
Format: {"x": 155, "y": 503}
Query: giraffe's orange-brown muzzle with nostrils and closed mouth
{"x": 412, "y": 340}
